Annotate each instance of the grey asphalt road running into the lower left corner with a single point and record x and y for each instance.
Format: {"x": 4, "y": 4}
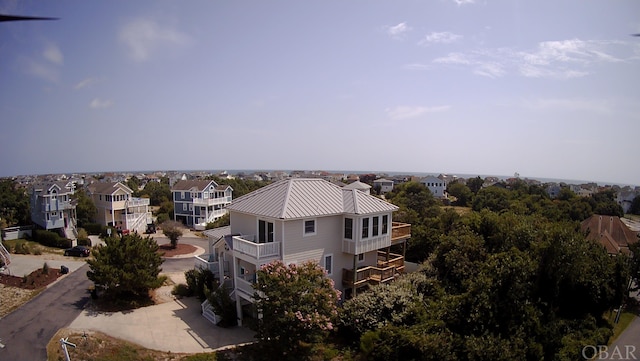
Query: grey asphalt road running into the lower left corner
{"x": 26, "y": 331}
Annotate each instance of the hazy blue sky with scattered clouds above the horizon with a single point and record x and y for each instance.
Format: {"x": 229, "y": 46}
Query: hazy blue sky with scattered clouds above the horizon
{"x": 544, "y": 88}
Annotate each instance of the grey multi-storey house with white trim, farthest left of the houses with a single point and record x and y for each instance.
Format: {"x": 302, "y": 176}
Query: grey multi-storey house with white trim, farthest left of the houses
{"x": 53, "y": 209}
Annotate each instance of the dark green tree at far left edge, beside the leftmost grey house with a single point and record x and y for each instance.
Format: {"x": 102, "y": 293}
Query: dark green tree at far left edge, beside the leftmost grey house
{"x": 14, "y": 203}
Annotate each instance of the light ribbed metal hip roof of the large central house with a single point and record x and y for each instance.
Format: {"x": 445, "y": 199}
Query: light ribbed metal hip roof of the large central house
{"x": 307, "y": 197}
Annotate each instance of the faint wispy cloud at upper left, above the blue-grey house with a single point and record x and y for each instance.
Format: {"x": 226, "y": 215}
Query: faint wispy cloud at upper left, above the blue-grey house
{"x": 144, "y": 37}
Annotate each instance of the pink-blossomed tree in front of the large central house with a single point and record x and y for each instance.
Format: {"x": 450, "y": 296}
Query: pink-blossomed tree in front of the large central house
{"x": 297, "y": 304}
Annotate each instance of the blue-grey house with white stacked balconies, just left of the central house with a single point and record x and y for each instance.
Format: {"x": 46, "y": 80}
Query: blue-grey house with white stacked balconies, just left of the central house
{"x": 198, "y": 202}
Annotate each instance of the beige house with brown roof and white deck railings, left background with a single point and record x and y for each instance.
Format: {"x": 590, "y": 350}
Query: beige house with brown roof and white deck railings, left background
{"x": 117, "y": 207}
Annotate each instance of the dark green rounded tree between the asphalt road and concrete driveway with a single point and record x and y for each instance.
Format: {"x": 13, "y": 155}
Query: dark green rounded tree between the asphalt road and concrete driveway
{"x": 127, "y": 266}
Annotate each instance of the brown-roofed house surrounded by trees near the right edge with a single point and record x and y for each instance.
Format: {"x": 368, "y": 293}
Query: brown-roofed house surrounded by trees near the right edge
{"x": 611, "y": 232}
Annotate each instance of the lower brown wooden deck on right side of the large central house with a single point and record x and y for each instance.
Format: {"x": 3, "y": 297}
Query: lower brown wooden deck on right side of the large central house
{"x": 385, "y": 271}
